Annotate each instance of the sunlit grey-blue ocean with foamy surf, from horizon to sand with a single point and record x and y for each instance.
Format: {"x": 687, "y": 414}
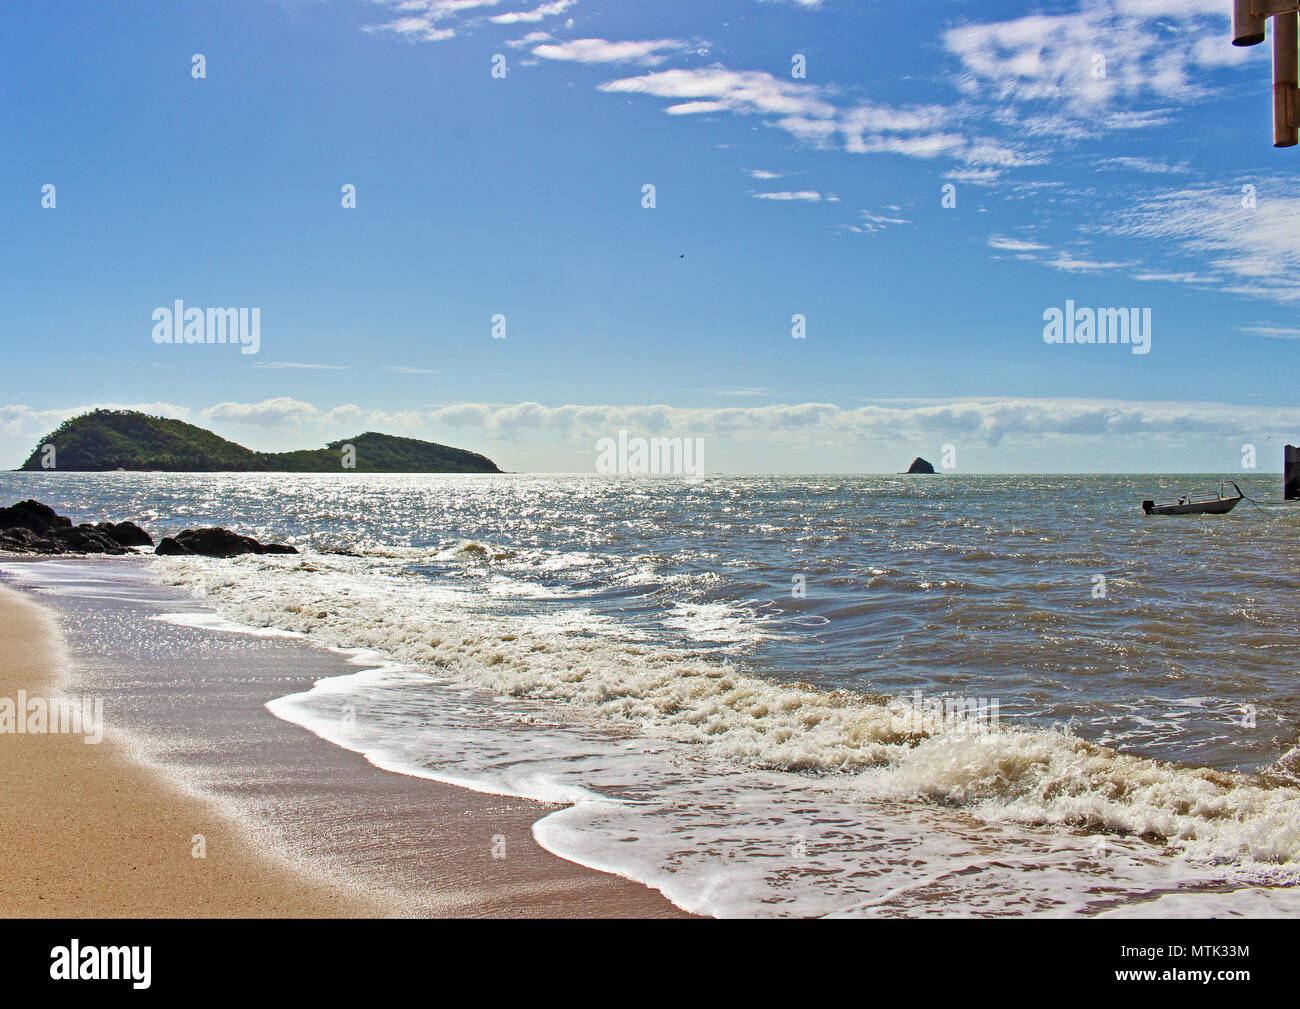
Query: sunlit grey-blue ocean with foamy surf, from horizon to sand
{"x": 883, "y": 696}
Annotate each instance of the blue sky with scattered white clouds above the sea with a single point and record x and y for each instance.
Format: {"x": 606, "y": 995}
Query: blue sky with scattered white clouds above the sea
{"x": 1115, "y": 184}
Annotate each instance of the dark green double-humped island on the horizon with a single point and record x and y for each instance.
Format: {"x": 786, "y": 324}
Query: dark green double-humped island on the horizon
{"x": 106, "y": 440}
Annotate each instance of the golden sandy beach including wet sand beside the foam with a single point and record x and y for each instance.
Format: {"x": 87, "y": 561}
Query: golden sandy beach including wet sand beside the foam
{"x": 107, "y": 830}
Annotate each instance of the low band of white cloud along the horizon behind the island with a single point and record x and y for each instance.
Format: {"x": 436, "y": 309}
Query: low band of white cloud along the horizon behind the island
{"x": 744, "y": 438}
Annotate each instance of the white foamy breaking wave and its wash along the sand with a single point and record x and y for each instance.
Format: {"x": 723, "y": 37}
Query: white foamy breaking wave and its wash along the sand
{"x": 757, "y": 742}
